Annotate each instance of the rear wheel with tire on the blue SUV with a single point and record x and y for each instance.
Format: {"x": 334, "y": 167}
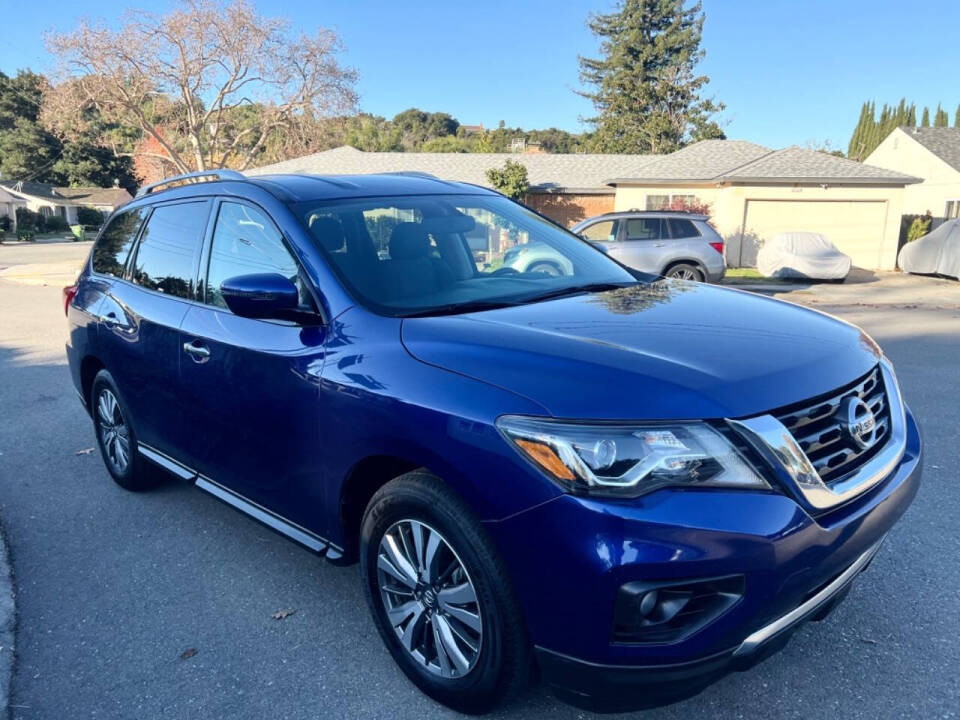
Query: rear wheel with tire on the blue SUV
{"x": 116, "y": 437}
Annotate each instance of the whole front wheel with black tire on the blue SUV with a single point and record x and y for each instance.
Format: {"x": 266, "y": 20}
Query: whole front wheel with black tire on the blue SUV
{"x": 439, "y": 595}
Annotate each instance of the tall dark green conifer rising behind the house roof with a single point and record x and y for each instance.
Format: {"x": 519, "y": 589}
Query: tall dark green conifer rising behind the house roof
{"x": 644, "y": 85}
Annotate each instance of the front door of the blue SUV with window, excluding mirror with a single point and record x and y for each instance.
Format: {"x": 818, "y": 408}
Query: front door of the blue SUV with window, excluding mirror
{"x": 253, "y": 385}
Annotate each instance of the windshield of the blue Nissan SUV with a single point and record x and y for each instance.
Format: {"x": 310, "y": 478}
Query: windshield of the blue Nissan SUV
{"x": 443, "y": 254}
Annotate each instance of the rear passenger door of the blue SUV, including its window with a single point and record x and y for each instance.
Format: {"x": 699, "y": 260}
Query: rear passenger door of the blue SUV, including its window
{"x": 141, "y": 314}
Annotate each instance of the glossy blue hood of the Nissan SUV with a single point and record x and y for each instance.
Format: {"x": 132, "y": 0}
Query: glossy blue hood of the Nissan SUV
{"x": 666, "y": 350}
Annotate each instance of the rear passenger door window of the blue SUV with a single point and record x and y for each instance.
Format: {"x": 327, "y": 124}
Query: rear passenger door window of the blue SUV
{"x": 168, "y": 248}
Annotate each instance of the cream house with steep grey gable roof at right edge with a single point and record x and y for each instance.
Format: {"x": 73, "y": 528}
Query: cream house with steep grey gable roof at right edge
{"x": 932, "y": 154}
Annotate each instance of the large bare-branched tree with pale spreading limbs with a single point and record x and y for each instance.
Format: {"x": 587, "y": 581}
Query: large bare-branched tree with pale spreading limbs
{"x": 209, "y": 83}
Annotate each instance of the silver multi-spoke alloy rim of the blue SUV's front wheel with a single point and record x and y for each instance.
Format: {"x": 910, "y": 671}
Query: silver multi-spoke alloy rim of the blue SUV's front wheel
{"x": 429, "y": 598}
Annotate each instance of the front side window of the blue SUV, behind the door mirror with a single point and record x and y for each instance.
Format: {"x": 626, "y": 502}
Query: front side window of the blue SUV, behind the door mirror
{"x": 246, "y": 241}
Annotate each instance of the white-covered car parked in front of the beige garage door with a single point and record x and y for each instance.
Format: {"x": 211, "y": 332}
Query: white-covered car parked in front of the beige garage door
{"x": 802, "y": 255}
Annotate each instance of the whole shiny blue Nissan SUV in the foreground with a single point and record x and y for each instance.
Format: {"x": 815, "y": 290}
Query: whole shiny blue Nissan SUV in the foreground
{"x": 624, "y": 485}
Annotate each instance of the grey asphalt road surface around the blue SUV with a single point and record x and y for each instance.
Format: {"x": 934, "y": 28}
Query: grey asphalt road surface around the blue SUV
{"x": 159, "y": 604}
